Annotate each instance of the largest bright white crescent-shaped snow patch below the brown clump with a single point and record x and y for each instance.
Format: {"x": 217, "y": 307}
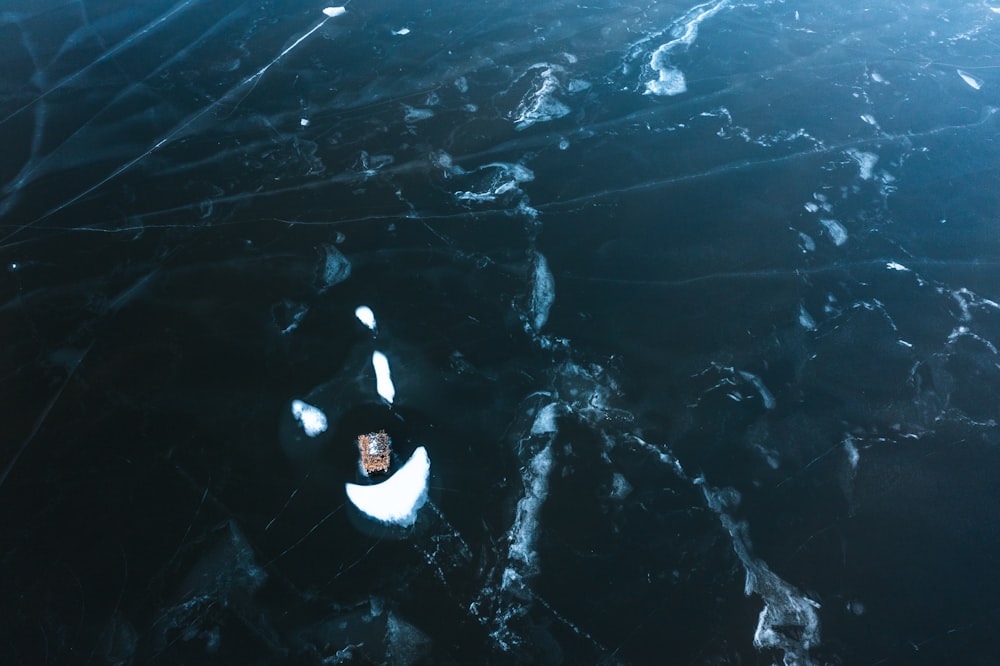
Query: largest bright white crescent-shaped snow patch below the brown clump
{"x": 397, "y": 499}
